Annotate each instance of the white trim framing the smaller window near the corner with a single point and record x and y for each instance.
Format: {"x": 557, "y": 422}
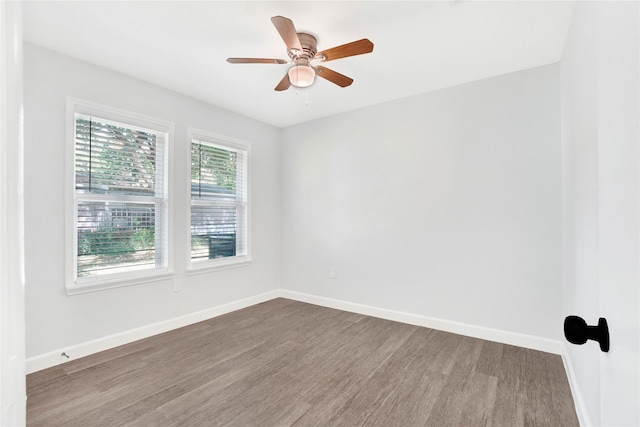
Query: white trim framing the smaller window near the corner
{"x": 228, "y": 262}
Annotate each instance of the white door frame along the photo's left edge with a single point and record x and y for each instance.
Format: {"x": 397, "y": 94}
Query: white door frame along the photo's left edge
{"x": 13, "y": 397}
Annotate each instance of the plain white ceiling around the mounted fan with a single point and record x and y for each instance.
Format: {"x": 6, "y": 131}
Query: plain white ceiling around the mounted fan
{"x": 419, "y": 46}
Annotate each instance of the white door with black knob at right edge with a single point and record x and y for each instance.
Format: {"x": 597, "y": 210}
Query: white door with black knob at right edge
{"x": 619, "y": 199}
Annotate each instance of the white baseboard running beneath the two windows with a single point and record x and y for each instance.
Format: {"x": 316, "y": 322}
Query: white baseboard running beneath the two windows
{"x": 54, "y": 358}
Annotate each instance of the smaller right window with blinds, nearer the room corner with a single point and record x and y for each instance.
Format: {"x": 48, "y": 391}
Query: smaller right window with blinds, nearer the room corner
{"x": 219, "y": 193}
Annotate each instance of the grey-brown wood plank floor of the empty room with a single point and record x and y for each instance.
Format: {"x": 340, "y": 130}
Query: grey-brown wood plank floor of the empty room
{"x": 284, "y": 363}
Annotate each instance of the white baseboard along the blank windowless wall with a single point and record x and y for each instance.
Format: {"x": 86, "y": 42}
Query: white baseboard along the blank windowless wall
{"x": 496, "y": 335}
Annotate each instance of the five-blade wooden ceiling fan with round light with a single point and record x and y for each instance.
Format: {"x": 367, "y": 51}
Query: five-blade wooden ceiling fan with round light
{"x": 301, "y": 48}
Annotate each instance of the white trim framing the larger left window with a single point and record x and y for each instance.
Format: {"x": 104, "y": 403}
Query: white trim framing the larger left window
{"x": 96, "y": 283}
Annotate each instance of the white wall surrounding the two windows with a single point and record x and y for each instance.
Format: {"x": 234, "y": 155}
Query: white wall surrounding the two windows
{"x": 54, "y": 320}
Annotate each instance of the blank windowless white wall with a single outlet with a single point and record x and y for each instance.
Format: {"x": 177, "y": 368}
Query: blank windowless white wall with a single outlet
{"x": 446, "y": 204}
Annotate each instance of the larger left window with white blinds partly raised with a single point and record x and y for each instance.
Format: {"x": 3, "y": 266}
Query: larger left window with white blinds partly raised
{"x": 120, "y": 204}
